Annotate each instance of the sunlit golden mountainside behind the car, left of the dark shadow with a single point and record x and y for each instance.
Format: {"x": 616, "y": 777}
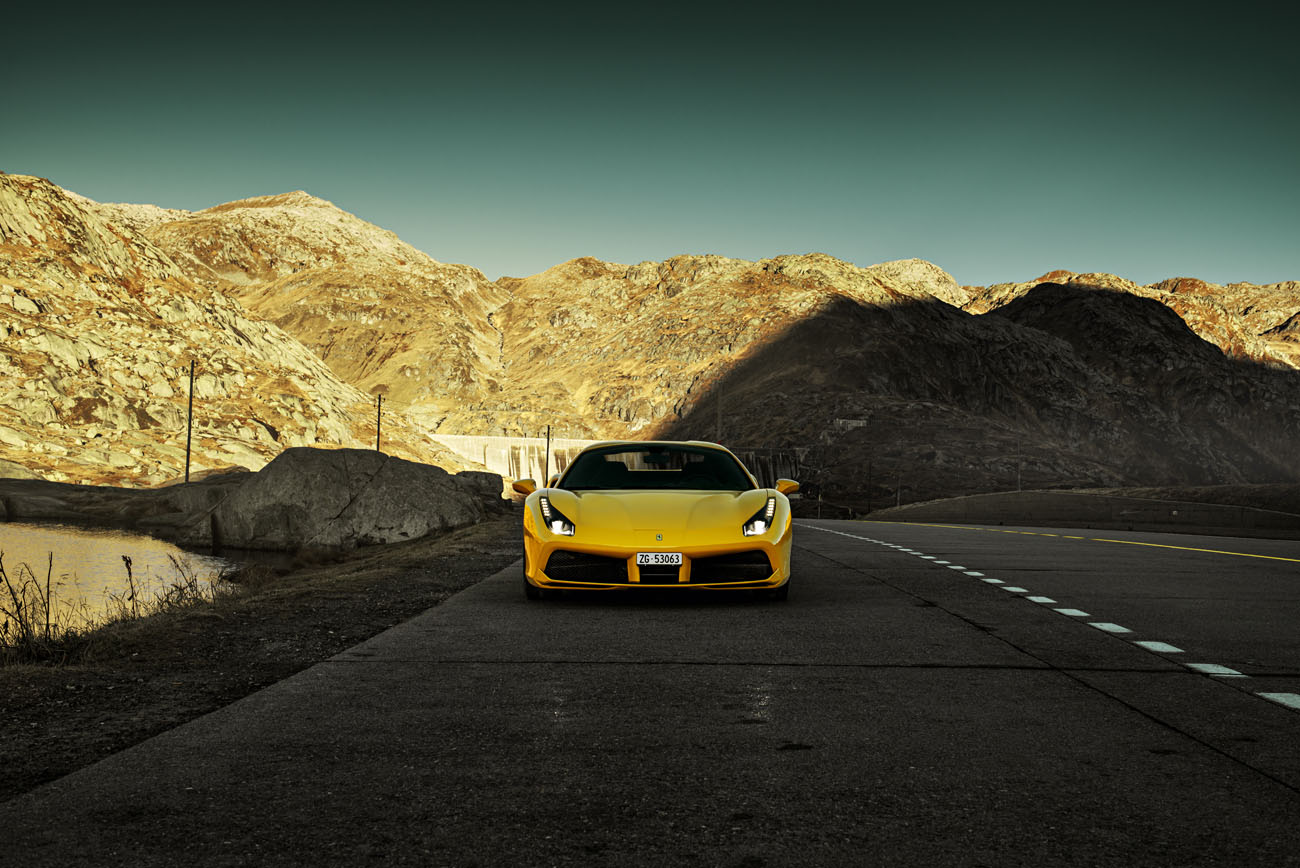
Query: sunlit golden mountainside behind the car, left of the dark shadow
{"x": 609, "y": 350}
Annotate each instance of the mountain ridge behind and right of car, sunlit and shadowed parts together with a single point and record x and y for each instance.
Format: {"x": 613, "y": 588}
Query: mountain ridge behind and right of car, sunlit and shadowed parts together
{"x": 886, "y": 379}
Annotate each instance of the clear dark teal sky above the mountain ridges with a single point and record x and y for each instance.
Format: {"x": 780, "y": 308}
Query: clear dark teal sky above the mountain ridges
{"x": 996, "y": 141}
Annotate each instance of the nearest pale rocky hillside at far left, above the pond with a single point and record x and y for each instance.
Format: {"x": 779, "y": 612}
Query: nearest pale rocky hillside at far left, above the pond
{"x": 98, "y": 328}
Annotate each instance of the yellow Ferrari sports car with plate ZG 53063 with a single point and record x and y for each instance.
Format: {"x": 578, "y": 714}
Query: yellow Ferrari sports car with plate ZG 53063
{"x": 661, "y": 515}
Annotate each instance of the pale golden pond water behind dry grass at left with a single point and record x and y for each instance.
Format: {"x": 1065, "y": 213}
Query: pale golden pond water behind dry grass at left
{"x": 89, "y": 570}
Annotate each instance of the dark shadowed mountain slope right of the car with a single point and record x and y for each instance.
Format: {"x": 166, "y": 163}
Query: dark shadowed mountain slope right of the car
{"x": 1064, "y": 388}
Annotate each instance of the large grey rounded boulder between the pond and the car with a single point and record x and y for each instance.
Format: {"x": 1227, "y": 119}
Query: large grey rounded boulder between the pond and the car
{"x": 343, "y": 500}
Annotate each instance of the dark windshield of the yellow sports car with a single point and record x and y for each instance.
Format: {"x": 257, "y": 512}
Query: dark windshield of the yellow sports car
{"x": 656, "y": 466}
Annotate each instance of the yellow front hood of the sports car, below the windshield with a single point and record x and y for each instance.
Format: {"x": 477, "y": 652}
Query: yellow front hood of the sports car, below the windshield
{"x": 643, "y": 517}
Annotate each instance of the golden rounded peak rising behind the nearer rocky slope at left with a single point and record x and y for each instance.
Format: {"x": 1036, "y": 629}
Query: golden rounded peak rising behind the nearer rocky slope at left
{"x": 384, "y": 316}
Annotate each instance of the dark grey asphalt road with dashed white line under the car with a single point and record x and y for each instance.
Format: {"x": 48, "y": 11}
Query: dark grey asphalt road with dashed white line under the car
{"x": 899, "y": 710}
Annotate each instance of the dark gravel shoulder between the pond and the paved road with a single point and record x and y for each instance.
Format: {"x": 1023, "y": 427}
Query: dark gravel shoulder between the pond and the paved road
{"x": 154, "y": 675}
